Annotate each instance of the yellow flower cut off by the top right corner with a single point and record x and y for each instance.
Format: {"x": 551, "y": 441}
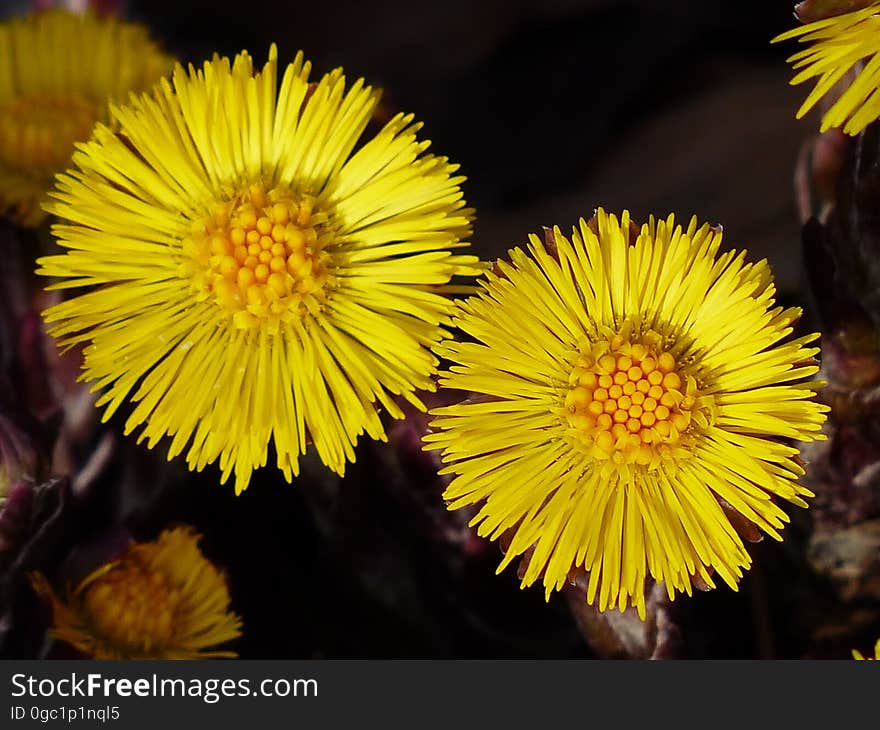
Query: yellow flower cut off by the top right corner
{"x": 838, "y": 44}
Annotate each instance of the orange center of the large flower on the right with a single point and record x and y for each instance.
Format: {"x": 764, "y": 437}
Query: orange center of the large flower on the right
{"x": 631, "y": 402}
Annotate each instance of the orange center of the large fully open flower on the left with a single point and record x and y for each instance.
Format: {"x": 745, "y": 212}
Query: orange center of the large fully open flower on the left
{"x": 262, "y": 257}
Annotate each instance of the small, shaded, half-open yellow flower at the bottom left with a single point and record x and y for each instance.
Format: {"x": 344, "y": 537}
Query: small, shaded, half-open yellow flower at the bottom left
{"x": 160, "y": 600}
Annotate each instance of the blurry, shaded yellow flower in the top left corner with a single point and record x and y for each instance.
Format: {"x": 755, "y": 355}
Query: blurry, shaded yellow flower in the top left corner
{"x": 58, "y": 71}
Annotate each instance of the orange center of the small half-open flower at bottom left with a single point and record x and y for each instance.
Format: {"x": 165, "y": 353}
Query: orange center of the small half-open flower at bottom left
{"x": 133, "y": 606}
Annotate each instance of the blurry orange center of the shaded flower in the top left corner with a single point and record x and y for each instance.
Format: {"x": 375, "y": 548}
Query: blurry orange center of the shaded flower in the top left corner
{"x": 37, "y": 133}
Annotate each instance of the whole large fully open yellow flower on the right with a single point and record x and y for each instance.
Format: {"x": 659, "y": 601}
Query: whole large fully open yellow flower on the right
{"x": 625, "y": 390}
